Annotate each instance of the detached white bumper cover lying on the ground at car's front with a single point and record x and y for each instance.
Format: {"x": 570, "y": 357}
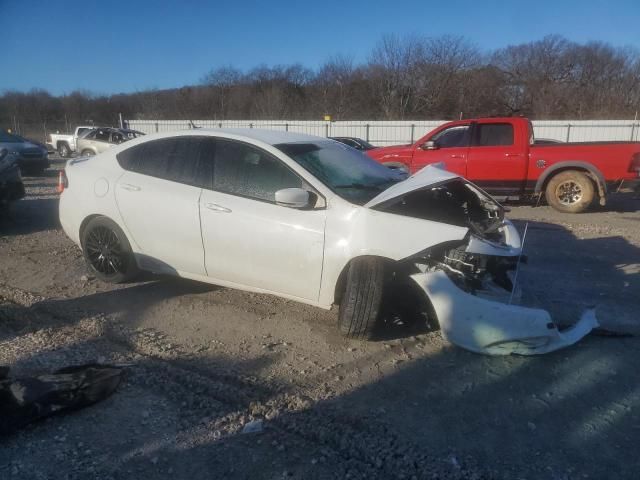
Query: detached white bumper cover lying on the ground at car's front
{"x": 496, "y": 328}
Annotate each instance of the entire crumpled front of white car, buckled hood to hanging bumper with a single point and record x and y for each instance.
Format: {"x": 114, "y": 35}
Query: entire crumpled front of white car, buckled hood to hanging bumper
{"x": 470, "y": 281}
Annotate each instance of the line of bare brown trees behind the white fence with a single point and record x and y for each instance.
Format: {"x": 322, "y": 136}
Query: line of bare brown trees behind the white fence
{"x": 404, "y": 78}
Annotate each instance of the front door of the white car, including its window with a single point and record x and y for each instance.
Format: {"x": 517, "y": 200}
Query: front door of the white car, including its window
{"x": 251, "y": 241}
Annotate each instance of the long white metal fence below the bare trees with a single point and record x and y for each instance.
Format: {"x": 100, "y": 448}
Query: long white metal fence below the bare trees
{"x": 398, "y": 132}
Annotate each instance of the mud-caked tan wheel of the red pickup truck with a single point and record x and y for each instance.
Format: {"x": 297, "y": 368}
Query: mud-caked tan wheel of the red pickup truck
{"x": 570, "y": 192}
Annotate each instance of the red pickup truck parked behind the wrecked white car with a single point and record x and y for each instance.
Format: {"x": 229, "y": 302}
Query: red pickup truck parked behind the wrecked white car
{"x": 499, "y": 155}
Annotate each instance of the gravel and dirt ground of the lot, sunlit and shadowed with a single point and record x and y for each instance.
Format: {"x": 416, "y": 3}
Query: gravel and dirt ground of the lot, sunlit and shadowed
{"x": 207, "y": 360}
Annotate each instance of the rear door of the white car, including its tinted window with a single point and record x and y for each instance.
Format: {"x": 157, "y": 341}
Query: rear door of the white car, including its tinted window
{"x": 158, "y": 199}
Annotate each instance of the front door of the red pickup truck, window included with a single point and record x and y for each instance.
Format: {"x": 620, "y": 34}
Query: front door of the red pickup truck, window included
{"x": 449, "y": 146}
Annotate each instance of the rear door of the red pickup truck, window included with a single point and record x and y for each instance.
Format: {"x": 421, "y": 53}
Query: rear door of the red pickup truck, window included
{"x": 497, "y": 159}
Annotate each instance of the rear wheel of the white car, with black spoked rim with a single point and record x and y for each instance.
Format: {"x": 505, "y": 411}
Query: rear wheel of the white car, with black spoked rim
{"x": 107, "y": 251}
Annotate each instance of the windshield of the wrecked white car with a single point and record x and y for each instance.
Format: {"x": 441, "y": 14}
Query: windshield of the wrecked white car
{"x": 346, "y": 171}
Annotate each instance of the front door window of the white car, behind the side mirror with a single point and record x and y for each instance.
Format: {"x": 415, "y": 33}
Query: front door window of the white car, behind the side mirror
{"x": 244, "y": 170}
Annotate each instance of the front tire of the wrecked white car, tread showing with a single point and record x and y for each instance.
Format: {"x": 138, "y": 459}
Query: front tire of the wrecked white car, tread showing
{"x": 361, "y": 303}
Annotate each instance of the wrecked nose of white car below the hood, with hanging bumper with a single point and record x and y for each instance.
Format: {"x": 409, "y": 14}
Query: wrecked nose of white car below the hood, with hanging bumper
{"x": 471, "y": 288}
